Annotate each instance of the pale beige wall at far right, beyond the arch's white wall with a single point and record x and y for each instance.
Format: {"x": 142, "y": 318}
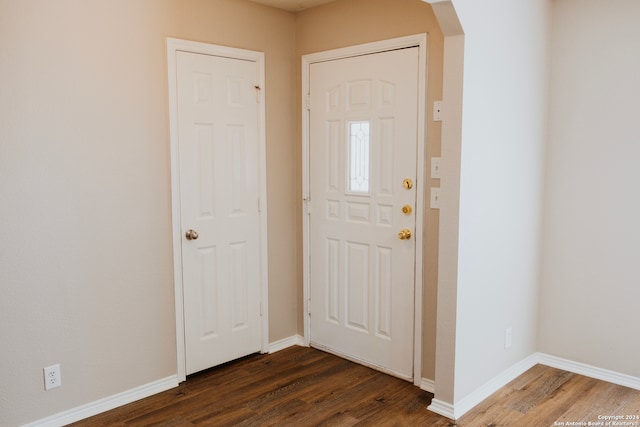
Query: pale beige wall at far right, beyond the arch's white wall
{"x": 590, "y": 276}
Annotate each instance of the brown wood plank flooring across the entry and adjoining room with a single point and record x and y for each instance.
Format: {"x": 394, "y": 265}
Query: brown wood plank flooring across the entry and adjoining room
{"x": 306, "y": 387}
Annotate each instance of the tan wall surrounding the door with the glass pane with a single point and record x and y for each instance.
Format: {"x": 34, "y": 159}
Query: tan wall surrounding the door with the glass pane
{"x": 351, "y": 22}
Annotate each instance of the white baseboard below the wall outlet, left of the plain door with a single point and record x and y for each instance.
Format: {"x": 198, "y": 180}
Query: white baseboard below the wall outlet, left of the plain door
{"x": 106, "y": 404}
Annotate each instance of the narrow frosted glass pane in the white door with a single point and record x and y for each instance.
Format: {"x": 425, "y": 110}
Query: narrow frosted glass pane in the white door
{"x": 359, "y": 157}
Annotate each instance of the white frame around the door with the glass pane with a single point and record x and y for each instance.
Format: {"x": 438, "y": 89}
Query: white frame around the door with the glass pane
{"x": 420, "y": 41}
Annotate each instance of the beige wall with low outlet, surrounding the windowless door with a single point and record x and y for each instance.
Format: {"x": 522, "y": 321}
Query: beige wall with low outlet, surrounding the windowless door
{"x": 85, "y": 212}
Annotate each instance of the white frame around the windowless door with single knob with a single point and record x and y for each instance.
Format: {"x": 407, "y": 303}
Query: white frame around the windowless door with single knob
{"x": 173, "y": 47}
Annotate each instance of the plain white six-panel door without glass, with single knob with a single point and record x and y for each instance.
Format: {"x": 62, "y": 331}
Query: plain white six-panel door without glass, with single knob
{"x": 218, "y": 152}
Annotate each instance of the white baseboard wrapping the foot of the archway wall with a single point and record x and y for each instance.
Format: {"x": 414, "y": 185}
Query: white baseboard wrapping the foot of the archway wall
{"x": 463, "y": 406}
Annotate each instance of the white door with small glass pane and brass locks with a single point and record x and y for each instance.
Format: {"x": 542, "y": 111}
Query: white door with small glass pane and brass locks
{"x": 363, "y": 127}
